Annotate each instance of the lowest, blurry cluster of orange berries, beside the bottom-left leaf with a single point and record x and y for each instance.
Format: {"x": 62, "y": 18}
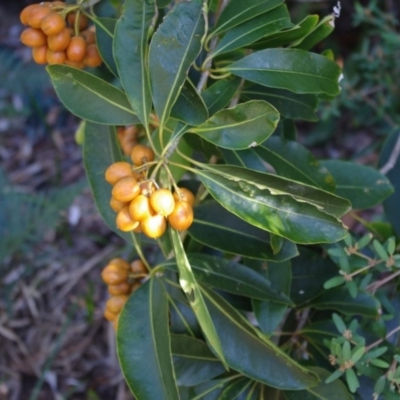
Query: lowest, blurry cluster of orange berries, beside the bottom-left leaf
{"x": 122, "y": 279}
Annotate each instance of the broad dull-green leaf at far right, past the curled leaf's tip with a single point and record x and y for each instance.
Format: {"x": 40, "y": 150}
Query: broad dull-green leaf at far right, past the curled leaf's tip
{"x": 364, "y": 186}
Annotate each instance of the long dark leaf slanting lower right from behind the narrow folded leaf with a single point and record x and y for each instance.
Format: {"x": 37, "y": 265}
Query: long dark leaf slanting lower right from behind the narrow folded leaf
{"x": 248, "y": 354}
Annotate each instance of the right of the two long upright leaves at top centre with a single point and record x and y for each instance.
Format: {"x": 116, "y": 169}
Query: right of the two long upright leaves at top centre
{"x": 173, "y": 49}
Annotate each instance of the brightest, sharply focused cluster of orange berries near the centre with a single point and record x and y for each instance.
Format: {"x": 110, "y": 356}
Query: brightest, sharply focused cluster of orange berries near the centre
{"x": 140, "y": 205}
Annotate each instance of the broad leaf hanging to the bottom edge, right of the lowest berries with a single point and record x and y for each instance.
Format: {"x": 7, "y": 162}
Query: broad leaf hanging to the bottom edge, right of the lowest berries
{"x": 147, "y": 366}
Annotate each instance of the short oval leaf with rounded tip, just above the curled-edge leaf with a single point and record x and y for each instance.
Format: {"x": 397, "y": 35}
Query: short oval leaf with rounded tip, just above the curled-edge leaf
{"x": 245, "y": 125}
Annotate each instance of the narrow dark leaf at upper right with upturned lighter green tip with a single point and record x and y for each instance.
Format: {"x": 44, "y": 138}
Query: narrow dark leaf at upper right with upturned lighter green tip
{"x": 290, "y": 36}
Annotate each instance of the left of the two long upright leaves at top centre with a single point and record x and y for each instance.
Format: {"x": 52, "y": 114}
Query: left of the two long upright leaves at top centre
{"x": 130, "y": 52}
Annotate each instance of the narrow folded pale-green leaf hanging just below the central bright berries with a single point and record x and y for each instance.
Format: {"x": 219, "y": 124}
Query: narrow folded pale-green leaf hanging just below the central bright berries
{"x": 195, "y": 297}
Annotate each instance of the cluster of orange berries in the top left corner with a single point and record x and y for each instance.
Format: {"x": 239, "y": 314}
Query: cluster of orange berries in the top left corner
{"x": 53, "y": 35}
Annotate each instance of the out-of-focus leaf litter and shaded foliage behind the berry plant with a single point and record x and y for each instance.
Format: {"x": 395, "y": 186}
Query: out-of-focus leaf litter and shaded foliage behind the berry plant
{"x": 53, "y": 244}
